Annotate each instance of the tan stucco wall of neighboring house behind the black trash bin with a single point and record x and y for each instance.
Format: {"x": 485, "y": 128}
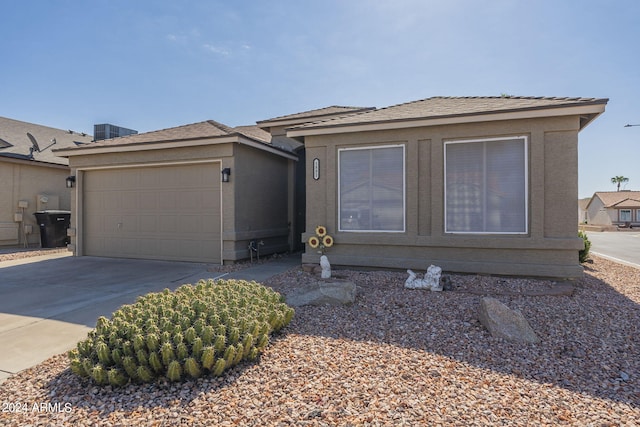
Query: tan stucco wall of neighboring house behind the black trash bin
{"x": 23, "y": 180}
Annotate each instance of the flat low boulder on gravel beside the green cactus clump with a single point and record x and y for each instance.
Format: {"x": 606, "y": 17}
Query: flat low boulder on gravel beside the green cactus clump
{"x": 321, "y": 292}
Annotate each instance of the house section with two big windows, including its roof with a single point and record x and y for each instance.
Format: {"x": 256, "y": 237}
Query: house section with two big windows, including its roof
{"x": 471, "y": 184}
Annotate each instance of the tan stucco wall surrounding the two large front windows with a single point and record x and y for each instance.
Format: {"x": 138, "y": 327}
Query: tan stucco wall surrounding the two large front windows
{"x": 550, "y": 248}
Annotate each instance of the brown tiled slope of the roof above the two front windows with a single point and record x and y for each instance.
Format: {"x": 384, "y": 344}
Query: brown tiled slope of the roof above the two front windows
{"x": 444, "y": 107}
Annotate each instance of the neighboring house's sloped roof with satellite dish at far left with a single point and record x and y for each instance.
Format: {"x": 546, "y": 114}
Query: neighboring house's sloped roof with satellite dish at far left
{"x": 15, "y": 142}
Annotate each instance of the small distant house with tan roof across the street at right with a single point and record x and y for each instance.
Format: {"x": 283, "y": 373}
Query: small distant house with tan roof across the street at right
{"x": 614, "y": 208}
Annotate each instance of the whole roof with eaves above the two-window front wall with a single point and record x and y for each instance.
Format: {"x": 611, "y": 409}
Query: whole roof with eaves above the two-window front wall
{"x": 449, "y": 110}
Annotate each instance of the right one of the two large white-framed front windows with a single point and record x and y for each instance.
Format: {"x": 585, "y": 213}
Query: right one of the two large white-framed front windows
{"x": 486, "y": 186}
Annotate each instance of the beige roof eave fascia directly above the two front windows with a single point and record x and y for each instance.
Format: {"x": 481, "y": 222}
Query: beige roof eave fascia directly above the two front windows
{"x": 586, "y": 112}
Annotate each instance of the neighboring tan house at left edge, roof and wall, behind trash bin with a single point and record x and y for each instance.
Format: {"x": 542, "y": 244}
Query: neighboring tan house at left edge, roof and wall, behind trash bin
{"x": 32, "y": 177}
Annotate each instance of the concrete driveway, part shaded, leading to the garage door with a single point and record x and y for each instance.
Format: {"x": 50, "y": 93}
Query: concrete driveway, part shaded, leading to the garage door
{"x": 49, "y": 303}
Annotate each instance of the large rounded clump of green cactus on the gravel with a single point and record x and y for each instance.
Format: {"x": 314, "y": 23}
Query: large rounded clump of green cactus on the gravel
{"x": 197, "y": 330}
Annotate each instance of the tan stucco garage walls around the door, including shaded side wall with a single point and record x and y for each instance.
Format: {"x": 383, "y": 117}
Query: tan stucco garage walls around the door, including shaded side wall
{"x": 253, "y": 195}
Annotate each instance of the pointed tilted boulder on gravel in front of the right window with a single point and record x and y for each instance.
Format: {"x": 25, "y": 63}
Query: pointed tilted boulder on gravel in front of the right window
{"x": 502, "y": 322}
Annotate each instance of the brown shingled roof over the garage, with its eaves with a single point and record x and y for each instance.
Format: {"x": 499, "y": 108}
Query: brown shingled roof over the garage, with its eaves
{"x": 191, "y": 134}
